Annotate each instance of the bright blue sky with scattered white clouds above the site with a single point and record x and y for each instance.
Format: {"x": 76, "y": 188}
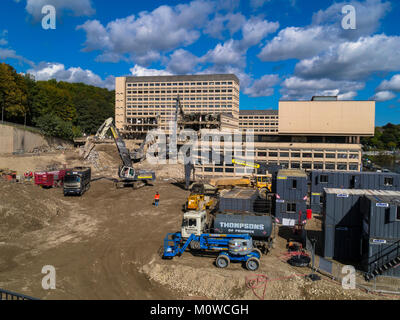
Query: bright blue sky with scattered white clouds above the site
{"x": 280, "y": 49}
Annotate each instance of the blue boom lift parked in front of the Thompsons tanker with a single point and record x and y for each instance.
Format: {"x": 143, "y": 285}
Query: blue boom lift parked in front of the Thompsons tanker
{"x": 231, "y": 248}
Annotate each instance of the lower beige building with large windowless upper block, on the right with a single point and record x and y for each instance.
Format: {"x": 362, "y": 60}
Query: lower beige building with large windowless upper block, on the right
{"x": 319, "y": 134}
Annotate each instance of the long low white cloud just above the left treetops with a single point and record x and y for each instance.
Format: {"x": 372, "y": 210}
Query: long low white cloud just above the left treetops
{"x": 46, "y": 71}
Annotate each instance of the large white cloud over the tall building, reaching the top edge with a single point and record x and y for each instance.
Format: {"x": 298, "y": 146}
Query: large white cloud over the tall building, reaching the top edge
{"x": 140, "y": 37}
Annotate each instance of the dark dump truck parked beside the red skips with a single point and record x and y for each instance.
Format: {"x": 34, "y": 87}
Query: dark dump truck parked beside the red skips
{"x": 77, "y": 181}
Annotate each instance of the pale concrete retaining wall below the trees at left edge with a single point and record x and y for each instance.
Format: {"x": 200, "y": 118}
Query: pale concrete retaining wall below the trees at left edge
{"x": 13, "y": 139}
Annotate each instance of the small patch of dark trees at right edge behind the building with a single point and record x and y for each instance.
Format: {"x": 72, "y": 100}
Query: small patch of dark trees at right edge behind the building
{"x": 386, "y": 138}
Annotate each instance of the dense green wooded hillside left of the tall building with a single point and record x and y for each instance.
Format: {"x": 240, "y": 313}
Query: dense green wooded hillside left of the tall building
{"x": 59, "y": 109}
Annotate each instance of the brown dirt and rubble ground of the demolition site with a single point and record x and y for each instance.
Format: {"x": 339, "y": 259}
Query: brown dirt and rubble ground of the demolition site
{"x": 106, "y": 244}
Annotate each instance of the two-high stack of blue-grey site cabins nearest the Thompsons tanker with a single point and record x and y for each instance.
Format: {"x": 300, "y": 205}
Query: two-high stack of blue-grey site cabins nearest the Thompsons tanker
{"x": 291, "y": 197}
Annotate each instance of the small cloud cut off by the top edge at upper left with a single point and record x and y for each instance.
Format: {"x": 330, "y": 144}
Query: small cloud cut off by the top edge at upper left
{"x": 77, "y": 7}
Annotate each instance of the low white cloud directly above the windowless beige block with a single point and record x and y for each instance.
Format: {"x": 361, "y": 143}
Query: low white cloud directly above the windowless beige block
{"x": 303, "y": 89}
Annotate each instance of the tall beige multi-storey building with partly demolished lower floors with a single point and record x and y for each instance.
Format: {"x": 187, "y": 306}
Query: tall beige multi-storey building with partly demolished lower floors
{"x": 154, "y": 97}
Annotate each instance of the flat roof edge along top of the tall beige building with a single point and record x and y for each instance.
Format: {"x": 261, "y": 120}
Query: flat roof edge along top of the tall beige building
{"x": 198, "y": 77}
